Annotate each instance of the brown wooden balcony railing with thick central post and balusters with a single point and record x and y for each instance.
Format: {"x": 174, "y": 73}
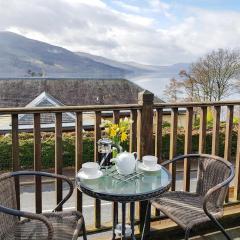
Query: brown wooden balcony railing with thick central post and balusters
{"x": 146, "y": 137}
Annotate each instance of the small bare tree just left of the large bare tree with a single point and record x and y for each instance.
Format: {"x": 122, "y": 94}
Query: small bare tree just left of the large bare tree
{"x": 173, "y": 90}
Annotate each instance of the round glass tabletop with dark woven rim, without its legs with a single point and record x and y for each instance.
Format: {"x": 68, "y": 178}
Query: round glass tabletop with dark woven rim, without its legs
{"x": 144, "y": 186}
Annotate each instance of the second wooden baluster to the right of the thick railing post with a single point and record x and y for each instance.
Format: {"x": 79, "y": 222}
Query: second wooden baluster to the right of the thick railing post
{"x": 173, "y": 145}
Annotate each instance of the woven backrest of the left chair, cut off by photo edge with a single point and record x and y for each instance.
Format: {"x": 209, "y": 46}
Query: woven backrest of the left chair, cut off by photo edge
{"x": 7, "y": 199}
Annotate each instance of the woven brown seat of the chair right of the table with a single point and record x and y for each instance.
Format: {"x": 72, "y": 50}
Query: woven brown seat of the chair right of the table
{"x": 186, "y": 209}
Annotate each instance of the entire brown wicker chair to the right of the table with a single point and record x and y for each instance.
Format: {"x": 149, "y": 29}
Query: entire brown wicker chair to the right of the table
{"x": 189, "y": 210}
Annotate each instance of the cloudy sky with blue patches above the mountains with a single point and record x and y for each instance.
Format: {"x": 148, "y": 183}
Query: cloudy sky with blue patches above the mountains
{"x": 146, "y": 31}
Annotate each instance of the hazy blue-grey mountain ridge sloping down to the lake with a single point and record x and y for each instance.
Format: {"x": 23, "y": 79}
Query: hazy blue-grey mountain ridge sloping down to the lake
{"x": 21, "y": 57}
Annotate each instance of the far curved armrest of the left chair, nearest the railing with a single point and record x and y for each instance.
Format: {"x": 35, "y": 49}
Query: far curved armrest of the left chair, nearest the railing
{"x": 51, "y": 175}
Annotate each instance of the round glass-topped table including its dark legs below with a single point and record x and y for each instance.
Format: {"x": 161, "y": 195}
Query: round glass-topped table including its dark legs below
{"x": 140, "y": 186}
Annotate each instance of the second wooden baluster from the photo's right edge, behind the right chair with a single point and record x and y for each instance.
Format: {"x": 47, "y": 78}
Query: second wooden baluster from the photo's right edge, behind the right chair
{"x": 228, "y": 138}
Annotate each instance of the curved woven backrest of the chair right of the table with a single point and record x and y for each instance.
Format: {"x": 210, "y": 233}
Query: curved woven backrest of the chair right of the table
{"x": 212, "y": 171}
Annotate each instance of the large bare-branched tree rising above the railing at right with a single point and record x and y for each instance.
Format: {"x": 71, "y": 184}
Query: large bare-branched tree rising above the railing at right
{"x": 212, "y": 77}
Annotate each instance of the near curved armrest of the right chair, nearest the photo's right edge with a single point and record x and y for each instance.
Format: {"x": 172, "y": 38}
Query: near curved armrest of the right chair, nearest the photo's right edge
{"x": 225, "y": 183}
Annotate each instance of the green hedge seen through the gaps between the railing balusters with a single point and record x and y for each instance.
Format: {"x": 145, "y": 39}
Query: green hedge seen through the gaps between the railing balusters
{"x": 26, "y": 153}
